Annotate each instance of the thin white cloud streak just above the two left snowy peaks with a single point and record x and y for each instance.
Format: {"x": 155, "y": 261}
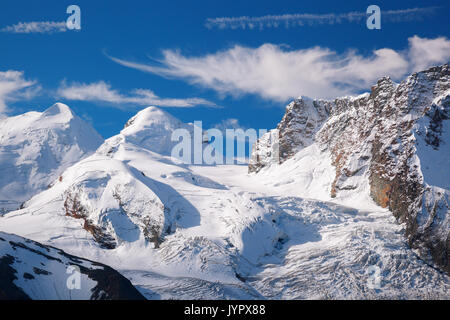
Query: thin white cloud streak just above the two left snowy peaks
{"x": 102, "y": 92}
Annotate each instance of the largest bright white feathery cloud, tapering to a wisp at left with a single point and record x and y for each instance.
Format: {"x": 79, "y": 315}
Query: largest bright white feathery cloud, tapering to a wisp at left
{"x": 276, "y": 73}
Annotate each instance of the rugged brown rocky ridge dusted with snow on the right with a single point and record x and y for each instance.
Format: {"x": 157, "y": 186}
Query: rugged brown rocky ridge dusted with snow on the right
{"x": 395, "y": 139}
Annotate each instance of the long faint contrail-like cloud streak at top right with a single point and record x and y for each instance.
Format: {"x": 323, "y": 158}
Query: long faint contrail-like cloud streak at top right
{"x": 307, "y": 19}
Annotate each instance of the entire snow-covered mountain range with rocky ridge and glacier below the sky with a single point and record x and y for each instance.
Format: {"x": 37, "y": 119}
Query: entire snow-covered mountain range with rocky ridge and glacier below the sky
{"x": 345, "y": 199}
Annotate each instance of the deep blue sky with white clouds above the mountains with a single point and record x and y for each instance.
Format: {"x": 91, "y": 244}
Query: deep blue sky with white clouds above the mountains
{"x": 250, "y": 73}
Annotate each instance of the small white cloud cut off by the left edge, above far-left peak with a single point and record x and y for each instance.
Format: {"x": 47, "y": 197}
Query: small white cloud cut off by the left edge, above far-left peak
{"x": 13, "y": 87}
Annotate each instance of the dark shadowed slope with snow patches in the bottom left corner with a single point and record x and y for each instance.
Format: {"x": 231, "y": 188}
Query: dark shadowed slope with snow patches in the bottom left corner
{"x": 31, "y": 270}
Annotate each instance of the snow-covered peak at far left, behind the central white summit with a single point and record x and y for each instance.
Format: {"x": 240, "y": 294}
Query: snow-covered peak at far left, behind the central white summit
{"x": 36, "y": 147}
